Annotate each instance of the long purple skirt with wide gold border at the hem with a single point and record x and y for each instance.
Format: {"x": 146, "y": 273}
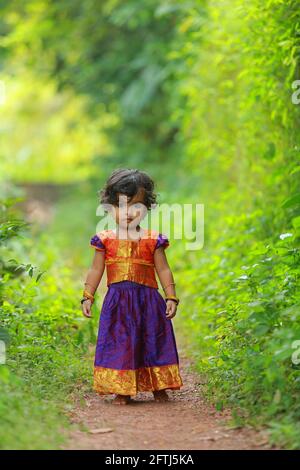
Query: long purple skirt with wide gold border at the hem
{"x": 136, "y": 347}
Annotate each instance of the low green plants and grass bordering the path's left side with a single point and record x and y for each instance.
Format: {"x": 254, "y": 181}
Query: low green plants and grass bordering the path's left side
{"x": 46, "y": 339}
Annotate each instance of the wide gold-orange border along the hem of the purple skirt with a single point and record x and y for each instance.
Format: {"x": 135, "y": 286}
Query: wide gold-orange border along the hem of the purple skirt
{"x": 130, "y": 382}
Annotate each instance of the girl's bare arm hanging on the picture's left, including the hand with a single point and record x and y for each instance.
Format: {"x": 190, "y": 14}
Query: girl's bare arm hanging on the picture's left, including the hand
{"x": 93, "y": 278}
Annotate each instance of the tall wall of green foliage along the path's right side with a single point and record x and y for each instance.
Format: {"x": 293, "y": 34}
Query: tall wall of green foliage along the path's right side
{"x": 240, "y": 132}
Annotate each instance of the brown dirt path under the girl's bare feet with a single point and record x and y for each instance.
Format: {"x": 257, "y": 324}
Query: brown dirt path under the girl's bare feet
{"x": 186, "y": 422}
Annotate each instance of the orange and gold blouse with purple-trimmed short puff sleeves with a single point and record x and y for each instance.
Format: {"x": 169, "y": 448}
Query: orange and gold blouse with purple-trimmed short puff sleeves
{"x": 129, "y": 259}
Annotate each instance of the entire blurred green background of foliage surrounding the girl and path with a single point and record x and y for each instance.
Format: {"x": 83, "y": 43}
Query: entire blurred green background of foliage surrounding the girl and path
{"x": 197, "y": 93}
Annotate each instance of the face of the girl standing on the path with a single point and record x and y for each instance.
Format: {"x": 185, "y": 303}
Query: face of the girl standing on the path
{"x": 130, "y": 212}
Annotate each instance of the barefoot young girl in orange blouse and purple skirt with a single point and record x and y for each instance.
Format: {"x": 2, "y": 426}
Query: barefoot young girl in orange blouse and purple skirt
{"x": 136, "y": 347}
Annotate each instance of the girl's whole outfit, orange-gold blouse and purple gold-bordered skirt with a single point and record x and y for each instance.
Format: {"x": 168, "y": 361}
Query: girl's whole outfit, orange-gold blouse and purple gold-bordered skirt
{"x": 136, "y": 347}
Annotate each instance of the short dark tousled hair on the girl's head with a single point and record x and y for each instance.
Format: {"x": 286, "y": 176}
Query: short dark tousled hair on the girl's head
{"x": 128, "y": 181}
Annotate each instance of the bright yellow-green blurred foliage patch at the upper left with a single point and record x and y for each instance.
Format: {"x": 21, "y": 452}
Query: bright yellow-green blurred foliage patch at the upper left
{"x": 47, "y": 136}
